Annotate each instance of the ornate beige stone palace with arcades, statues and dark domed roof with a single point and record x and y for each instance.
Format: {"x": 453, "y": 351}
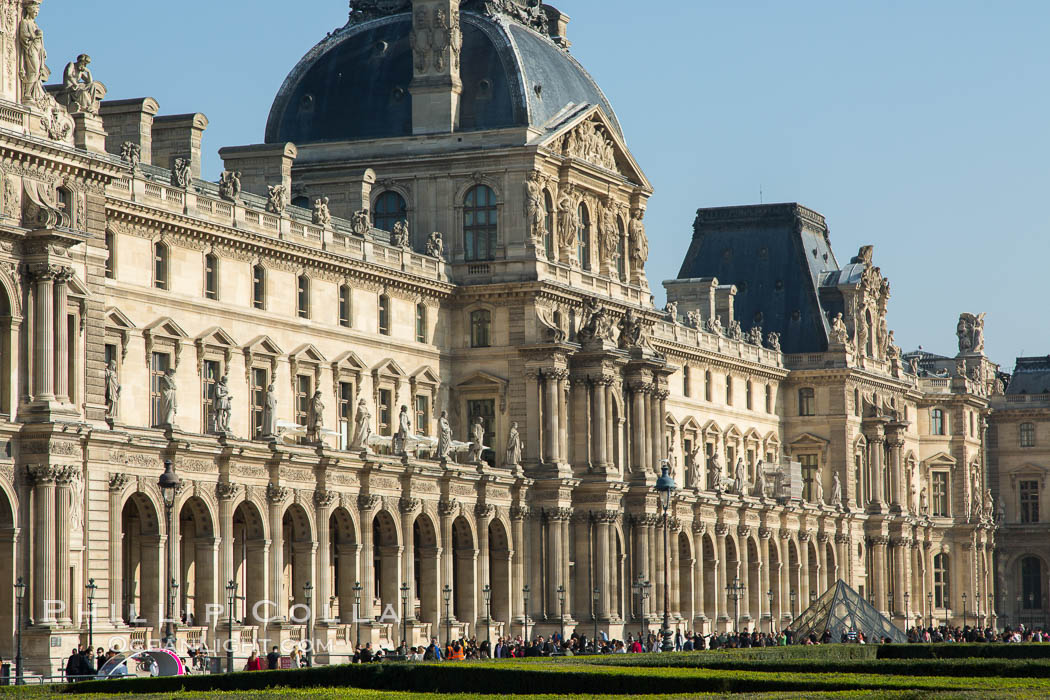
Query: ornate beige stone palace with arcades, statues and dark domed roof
{"x": 410, "y": 342}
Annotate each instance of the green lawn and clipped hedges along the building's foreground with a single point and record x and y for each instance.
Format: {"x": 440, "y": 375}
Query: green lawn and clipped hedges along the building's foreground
{"x": 829, "y": 672}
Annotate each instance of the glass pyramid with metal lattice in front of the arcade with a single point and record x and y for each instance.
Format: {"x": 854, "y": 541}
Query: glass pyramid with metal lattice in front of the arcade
{"x": 842, "y": 609}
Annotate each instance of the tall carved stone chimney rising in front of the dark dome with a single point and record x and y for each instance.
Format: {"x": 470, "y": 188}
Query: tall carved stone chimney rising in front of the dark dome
{"x": 436, "y": 43}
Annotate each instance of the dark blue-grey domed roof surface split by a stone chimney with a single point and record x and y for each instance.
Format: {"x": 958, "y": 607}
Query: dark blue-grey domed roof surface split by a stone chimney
{"x": 354, "y": 84}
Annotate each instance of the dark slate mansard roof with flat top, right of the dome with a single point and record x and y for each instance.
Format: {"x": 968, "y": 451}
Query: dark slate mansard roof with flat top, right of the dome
{"x": 781, "y": 260}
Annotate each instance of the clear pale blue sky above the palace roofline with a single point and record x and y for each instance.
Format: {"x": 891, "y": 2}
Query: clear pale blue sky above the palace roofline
{"x": 922, "y": 128}
